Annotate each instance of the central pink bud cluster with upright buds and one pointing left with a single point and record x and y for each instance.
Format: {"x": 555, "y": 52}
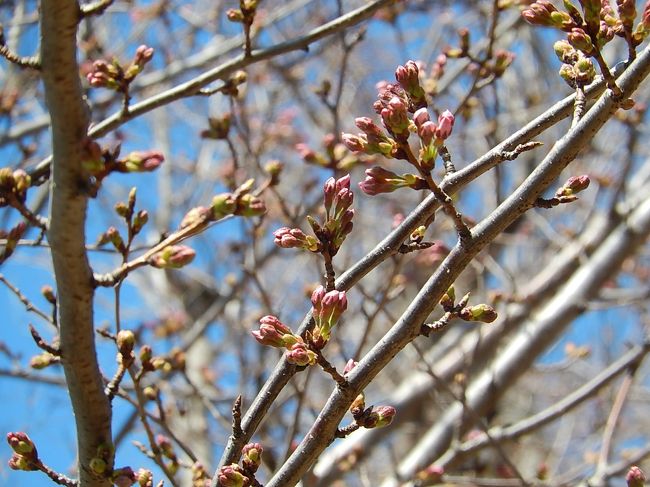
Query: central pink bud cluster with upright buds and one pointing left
{"x": 330, "y": 235}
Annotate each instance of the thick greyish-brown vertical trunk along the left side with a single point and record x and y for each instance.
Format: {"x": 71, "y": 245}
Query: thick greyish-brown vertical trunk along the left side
{"x": 69, "y": 122}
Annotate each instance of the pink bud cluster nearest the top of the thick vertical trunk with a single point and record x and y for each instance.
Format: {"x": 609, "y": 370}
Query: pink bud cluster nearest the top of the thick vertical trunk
{"x": 116, "y": 77}
